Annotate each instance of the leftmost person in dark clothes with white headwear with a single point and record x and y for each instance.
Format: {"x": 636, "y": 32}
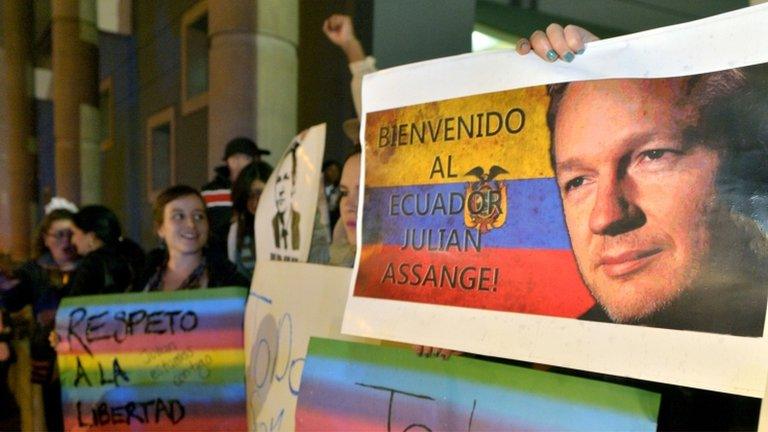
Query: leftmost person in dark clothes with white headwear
{"x": 42, "y": 282}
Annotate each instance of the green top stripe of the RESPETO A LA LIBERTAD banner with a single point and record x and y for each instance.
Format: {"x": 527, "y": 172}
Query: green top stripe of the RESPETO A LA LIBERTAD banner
{"x": 155, "y": 297}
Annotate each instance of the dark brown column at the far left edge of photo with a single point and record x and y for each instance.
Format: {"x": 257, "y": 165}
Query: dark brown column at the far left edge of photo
{"x": 16, "y": 159}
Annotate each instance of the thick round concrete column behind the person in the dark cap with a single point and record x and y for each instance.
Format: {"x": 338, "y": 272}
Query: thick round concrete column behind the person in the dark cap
{"x": 253, "y": 74}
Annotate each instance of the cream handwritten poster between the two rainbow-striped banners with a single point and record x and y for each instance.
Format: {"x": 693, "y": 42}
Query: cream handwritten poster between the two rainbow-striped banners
{"x": 288, "y": 304}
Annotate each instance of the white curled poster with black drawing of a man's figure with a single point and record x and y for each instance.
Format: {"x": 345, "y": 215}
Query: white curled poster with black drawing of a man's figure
{"x": 291, "y": 198}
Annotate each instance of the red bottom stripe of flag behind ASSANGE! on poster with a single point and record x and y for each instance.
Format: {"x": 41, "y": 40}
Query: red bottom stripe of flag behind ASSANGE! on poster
{"x": 534, "y": 281}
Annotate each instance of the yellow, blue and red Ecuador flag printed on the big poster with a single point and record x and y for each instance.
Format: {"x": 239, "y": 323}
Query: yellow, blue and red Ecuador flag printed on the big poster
{"x": 462, "y": 208}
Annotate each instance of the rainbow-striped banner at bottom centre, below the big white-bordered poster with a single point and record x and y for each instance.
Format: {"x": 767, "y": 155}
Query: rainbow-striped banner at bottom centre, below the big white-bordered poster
{"x": 350, "y": 386}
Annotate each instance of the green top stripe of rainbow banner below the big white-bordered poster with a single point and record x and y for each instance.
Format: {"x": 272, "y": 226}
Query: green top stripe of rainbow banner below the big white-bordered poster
{"x": 547, "y": 384}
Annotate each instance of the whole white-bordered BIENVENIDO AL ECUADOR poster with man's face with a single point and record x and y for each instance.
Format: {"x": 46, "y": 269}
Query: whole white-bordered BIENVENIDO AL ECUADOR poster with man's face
{"x": 649, "y": 211}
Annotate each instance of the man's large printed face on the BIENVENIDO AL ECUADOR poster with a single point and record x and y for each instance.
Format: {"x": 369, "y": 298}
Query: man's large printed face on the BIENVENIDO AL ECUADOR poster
{"x": 637, "y": 197}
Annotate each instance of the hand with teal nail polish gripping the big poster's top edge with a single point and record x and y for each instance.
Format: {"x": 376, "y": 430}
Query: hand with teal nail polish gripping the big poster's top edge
{"x": 557, "y": 42}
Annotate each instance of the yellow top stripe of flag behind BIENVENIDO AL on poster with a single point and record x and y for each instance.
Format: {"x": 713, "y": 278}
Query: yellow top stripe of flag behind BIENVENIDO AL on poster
{"x": 416, "y": 144}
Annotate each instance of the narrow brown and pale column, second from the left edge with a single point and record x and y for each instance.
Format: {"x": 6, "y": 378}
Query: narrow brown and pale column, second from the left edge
{"x": 75, "y": 100}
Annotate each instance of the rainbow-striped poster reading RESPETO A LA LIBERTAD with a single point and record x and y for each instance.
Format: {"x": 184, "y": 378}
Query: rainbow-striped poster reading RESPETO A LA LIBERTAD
{"x": 153, "y": 361}
